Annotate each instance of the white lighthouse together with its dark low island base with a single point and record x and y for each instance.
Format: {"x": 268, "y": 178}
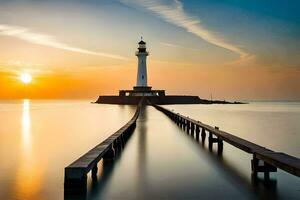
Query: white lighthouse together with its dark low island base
{"x": 143, "y": 90}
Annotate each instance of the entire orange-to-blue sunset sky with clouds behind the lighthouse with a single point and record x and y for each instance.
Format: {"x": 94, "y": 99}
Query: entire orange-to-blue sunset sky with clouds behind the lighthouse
{"x": 232, "y": 49}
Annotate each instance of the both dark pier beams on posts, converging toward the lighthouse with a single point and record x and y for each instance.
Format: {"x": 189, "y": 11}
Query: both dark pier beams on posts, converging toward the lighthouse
{"x": 264, "y": 160}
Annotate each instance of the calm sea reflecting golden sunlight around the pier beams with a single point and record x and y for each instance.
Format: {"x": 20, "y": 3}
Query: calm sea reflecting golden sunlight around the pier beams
{"x": 39, "y": 138}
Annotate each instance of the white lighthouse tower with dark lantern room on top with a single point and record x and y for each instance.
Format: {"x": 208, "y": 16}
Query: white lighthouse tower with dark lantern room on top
{"x": 142, "y": 65}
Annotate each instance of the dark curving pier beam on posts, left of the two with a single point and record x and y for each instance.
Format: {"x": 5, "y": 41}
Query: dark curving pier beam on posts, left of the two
{"x": 76, "y": 172}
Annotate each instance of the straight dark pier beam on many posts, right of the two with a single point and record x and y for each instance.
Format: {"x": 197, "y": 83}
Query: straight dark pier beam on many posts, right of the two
{"x": 270, "y": 160}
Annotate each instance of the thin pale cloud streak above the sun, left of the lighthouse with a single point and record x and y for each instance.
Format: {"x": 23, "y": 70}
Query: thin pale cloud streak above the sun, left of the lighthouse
{"x": 47, "y": 40}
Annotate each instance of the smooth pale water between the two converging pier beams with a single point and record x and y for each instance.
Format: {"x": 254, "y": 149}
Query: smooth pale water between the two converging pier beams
{"x": 161, "y": 161}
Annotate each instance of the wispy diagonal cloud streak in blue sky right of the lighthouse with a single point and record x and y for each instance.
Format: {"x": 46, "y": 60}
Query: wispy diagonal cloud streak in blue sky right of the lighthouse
{"x": 173, "y": 12}
